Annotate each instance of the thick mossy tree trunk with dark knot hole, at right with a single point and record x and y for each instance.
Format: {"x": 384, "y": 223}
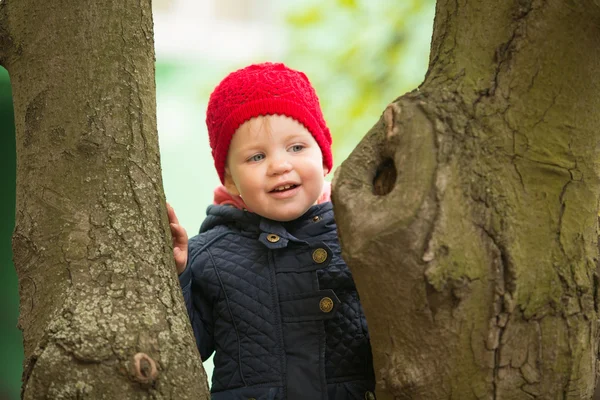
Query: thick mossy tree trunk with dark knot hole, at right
{"x": 469, "y": 213}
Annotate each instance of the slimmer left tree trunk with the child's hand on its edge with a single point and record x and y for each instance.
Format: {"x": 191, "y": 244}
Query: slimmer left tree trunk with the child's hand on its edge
{"x": 101, "y": 310}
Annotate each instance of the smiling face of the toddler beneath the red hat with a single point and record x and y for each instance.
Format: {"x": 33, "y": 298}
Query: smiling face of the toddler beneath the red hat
{"x": 276, "y": 165}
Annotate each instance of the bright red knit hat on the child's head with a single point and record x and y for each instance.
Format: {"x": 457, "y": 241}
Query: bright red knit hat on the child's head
{"x": 263, "y": 89}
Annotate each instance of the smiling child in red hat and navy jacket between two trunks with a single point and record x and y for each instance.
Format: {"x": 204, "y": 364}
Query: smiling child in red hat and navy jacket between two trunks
{"x": 264, "y": 282}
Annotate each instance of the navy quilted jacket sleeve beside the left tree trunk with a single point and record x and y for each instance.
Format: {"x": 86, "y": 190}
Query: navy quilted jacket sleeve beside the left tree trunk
{"x": 197, "y": 303}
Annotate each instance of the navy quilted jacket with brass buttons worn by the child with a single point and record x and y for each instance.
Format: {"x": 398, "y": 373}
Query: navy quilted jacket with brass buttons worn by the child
{"x": 278, "y": 304}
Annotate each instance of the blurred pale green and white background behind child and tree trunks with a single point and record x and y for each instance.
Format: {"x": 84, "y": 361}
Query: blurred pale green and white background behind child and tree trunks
{"x": 359, "y": 54}
